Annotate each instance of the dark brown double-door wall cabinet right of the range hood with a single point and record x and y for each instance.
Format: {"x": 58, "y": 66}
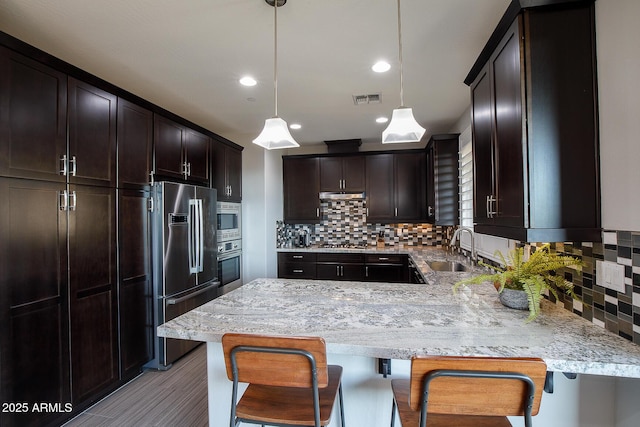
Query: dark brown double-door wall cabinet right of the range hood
{"x": 396, "y": 187}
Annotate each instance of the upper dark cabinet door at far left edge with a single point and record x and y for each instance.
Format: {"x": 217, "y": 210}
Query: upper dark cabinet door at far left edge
{"x": 33, "y": 118}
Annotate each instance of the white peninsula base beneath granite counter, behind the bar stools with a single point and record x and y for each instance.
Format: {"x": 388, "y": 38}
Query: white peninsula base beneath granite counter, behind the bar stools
{"x": 588, "y": 400}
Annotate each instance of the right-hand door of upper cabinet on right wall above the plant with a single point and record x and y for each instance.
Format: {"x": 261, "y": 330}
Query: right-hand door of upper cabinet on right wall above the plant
{"x": 508, "y": 168}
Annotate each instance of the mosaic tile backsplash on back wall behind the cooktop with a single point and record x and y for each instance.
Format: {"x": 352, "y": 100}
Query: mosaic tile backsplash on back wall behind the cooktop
{"x": 345, "y": 222}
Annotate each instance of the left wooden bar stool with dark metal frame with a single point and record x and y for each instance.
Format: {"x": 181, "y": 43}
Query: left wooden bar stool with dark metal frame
{"x": 289, "y": 380}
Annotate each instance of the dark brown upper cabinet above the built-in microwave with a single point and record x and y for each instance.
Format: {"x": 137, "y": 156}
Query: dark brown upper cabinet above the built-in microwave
{"x": 227, "y": 175}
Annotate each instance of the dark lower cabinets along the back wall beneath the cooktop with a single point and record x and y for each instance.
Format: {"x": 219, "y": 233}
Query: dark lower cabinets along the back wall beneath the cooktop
{"x": 392, "y": 268}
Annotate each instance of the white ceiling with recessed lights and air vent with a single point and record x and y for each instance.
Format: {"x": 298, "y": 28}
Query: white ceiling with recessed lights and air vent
{"x": 187, "y": 56}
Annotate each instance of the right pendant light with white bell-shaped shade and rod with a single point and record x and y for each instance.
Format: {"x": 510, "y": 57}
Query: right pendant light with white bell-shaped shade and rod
{"x": 403, "y": 126}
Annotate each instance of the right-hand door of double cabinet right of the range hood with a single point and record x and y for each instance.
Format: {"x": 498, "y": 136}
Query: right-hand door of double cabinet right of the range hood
{"x": 410, "y": 180}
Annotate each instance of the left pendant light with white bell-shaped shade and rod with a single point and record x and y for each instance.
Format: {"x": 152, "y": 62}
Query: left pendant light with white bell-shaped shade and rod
{"x": 275, "y": 133}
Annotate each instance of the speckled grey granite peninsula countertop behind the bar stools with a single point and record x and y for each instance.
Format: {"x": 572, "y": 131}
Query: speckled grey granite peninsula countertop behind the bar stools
{"x": 397, "y": 321}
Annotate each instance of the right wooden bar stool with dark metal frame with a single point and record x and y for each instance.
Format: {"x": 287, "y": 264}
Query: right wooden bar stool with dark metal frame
{"x": 468, "y": 391}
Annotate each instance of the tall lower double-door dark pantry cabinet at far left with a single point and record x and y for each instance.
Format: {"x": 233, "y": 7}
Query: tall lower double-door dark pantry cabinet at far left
{"x": 58, "y": 298}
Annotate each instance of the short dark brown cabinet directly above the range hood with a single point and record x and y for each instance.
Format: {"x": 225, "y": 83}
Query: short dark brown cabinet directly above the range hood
{"x": 342, "y": 173}
